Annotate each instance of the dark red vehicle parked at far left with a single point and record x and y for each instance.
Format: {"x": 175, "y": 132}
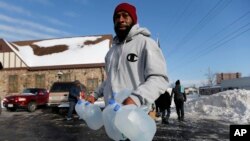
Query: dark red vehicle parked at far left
{"x": 29, "y": 99}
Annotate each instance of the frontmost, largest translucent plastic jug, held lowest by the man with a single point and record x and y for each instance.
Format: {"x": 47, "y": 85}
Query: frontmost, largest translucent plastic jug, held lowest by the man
{"x": 135, "y": 123}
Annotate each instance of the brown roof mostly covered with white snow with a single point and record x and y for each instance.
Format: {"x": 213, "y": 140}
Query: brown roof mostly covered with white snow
{"x": 63, "y": 51}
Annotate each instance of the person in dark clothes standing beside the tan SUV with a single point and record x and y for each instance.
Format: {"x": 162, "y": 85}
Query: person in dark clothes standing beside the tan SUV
{"x": 74, "y": 95}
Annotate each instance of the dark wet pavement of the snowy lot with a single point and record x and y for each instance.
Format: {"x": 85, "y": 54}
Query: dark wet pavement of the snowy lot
{"x": 45, "y": 125}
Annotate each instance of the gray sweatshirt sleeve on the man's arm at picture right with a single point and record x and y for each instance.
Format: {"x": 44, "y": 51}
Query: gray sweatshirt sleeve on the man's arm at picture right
{"x": 155, "y": 73}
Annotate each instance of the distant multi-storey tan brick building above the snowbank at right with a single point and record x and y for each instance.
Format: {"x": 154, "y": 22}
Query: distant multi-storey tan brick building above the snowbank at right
{"x": 226, "y": 76}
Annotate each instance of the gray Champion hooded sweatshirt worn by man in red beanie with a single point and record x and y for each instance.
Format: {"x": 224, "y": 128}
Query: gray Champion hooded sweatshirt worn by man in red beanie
{"x": 137, "y": 64}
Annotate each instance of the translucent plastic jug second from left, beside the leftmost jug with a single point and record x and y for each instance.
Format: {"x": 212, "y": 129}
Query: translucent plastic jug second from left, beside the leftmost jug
{"x": 93, "y": 116}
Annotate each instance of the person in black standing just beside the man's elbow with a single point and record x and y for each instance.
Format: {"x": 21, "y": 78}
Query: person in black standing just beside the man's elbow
{"x": 164, "y": 103}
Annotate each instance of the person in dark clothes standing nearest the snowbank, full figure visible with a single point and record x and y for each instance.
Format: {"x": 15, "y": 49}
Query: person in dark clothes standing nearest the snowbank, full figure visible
{"x": 179, "y": 99}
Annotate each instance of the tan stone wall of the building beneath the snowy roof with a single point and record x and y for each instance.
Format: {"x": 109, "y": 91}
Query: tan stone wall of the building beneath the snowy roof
{"x": 28, "y": 78}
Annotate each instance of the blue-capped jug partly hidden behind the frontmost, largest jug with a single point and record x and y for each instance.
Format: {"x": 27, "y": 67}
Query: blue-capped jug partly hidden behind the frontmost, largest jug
{"x": 109, "y": 114}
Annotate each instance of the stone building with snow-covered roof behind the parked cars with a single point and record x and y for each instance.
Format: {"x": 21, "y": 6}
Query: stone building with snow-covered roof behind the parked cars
{"x": 39, "y": 63}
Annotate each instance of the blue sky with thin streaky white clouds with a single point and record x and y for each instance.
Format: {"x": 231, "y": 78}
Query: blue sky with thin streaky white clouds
{"x": 195, "y": 35}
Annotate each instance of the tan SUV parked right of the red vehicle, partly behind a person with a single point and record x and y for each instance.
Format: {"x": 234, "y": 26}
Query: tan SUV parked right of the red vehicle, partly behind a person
{"x": 59, "y": 93}
